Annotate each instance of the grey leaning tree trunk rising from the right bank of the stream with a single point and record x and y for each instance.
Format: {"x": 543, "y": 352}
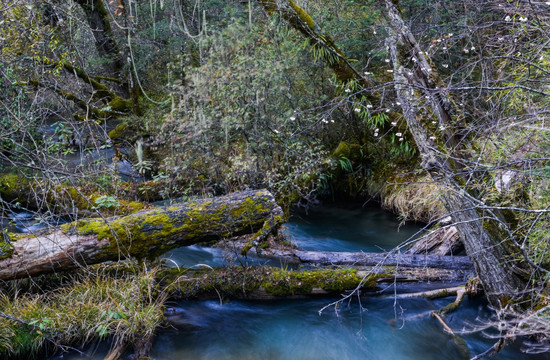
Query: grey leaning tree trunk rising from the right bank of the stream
{"x": 493, "y": 263}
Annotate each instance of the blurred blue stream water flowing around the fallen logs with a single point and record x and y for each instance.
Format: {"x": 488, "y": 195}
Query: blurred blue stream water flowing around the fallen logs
{"x": 375, "y": 328}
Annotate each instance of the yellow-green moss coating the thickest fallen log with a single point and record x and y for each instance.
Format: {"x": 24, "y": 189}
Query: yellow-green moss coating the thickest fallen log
{"x": 151, "y": 233}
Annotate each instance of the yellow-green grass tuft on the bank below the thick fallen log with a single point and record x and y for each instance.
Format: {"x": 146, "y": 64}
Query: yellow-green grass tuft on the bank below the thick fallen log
{"x": 99, "y": 306}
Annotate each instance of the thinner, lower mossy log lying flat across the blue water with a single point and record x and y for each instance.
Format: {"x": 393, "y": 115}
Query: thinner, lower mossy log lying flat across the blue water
{"x": 272, "y": 283}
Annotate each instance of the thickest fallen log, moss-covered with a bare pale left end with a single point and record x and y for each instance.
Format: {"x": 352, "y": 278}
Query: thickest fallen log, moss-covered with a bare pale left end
{"x": 146, "y": 234}
